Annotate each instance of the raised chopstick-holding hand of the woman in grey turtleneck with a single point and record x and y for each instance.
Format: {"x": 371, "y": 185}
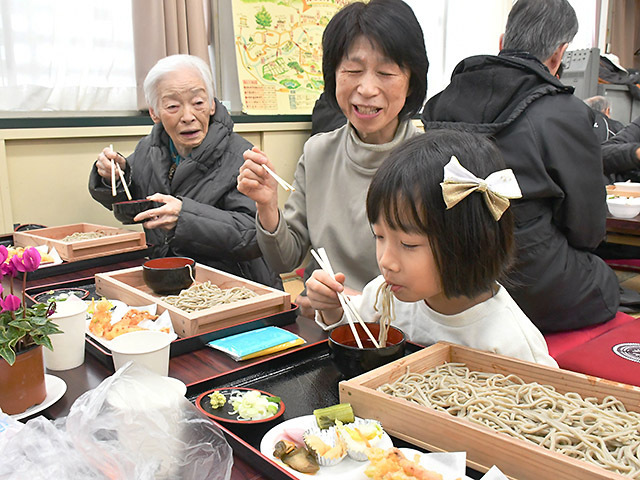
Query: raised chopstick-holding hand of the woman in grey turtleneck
{"x": 259, "y": 186}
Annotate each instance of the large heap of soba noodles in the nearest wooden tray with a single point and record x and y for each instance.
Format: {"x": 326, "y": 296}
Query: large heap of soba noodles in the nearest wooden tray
{"x": 603, "y": 433}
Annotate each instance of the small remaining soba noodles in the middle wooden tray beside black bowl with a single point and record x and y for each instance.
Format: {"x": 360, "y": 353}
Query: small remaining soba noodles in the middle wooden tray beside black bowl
{"x": 207, "y": 295}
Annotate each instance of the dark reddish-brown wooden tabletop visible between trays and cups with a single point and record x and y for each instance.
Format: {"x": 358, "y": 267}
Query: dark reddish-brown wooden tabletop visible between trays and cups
{"x": 189, "y": 368}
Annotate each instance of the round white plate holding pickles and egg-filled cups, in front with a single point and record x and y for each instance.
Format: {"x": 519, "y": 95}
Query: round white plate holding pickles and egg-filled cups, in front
{"x": 347, "y": 469}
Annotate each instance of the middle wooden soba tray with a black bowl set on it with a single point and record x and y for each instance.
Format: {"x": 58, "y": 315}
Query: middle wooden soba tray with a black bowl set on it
{"x": 128, "y": 286}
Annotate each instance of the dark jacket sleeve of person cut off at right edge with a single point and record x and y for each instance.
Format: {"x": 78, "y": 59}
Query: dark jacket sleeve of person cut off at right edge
{"x": 621, "y": 154}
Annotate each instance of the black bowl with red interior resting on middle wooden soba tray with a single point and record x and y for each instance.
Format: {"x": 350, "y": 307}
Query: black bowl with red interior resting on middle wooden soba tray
{"x": 169, "y": 275}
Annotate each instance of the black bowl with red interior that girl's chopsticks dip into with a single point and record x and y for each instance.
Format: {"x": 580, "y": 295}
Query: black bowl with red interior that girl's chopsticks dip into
{"x": 352, "y": 361}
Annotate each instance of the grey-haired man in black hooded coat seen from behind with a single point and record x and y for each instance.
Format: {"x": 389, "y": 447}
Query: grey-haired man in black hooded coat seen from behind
{"x": 546, "y": 137}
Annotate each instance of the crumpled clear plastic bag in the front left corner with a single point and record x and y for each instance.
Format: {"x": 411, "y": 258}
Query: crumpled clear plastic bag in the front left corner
{"x": 133, "y": 426}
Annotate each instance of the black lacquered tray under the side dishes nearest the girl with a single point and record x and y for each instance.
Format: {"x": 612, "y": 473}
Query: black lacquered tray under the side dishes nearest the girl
{"x": 305, "y": 379}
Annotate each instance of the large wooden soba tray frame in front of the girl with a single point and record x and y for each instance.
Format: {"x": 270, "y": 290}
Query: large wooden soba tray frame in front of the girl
{"x": 440, "y": 431}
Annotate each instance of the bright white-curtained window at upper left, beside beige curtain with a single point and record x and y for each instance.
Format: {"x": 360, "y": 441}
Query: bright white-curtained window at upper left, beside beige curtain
{"x": 66, "y": 55}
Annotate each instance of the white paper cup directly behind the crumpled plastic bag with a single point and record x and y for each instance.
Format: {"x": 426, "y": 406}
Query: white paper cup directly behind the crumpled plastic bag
{"x": 149, "y": 348}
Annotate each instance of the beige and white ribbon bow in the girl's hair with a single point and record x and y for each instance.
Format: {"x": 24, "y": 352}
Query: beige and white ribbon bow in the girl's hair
{"x": 496, "y": 189}
